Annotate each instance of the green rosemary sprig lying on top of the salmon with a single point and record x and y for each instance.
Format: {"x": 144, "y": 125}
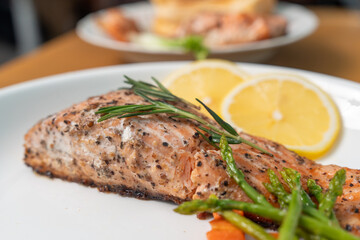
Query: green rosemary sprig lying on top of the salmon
{"x": 149, "y": 91}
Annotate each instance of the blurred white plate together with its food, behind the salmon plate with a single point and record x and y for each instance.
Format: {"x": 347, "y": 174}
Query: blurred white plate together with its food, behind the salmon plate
{"x": 241, "y": 30}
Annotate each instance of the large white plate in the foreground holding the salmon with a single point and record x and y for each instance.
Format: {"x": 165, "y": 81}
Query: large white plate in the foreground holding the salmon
{"x": 36, "y": 207}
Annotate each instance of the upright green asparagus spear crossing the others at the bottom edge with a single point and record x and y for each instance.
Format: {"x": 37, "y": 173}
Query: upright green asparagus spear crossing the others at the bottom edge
{"x": 288, "y": 226}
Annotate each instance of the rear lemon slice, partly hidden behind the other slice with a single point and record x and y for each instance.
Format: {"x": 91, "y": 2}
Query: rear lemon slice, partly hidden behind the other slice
{"x": 208, "y": 80}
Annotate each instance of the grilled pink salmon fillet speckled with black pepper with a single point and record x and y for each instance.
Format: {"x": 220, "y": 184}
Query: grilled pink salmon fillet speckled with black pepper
{"x": 159, "y": 157}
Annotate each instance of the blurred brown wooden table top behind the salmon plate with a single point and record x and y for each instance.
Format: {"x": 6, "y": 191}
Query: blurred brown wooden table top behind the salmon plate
{"x": 333, "y": 49}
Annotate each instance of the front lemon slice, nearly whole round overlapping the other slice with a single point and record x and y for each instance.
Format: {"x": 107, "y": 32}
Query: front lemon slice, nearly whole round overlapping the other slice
{"x": 287, "y": 109}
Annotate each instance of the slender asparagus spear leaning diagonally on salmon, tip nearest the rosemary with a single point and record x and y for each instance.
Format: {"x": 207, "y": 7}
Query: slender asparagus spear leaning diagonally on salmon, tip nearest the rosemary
{"x": 238, "y": 175}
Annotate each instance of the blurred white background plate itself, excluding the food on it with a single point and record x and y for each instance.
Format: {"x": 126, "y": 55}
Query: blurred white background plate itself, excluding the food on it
{"x": 301, "y": 23}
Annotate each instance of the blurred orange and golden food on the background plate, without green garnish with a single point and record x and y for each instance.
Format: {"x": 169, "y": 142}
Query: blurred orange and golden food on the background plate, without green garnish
{"x": 219, "y": 22}
